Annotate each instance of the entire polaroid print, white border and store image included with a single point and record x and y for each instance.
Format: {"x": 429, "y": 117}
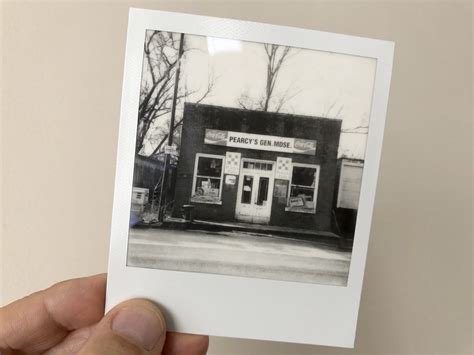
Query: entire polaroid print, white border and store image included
{"x": 246, "y": 172}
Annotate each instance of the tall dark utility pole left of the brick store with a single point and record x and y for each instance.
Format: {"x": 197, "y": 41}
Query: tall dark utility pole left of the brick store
{"x": 171, "y": 128}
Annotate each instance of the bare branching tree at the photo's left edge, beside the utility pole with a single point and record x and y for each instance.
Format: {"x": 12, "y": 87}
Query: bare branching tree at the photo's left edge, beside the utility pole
{"x": 161, "y": 58}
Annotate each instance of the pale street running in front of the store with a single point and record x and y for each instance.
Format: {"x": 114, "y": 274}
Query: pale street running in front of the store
{"x": 238, "y": 254}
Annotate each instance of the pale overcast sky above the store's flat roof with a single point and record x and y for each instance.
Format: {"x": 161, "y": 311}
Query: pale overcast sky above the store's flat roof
{"x": 320, "y": 83}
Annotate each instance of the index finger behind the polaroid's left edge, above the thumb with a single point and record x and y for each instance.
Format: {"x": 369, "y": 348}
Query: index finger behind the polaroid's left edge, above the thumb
{"x": 43, "y": 319}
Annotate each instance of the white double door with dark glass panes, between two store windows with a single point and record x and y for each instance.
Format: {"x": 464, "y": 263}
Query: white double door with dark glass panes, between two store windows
{"x": 254, "y": 196}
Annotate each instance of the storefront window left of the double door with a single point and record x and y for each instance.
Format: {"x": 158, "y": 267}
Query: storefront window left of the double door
{"x": 207, "y": 179}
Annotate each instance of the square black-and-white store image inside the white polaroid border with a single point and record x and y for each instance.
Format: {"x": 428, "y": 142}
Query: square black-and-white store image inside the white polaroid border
{"x": 248, "y": 158}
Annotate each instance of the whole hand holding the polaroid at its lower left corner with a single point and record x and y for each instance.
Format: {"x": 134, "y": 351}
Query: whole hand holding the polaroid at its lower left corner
{"x": 68, "y": 318}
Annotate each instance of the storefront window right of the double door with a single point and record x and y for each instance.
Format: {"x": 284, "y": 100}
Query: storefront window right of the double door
{"x": 303, "y": 189}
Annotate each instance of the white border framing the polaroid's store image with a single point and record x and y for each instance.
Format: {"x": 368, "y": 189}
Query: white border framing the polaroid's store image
{"x": 232, "y": 306}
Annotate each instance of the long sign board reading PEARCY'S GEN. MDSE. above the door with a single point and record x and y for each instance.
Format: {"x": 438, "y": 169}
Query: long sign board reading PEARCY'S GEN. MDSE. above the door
{"x": 260, "y": 142}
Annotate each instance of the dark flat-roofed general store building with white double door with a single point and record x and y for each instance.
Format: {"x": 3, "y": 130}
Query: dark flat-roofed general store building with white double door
{"x": 257, "y": 167}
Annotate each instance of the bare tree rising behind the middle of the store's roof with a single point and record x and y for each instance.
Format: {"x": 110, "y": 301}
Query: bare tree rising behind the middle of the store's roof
{"x": 270, "y": 100}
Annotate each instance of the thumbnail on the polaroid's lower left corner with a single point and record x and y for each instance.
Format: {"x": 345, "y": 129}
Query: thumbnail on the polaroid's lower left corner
{"x": 143, "y": 327}
